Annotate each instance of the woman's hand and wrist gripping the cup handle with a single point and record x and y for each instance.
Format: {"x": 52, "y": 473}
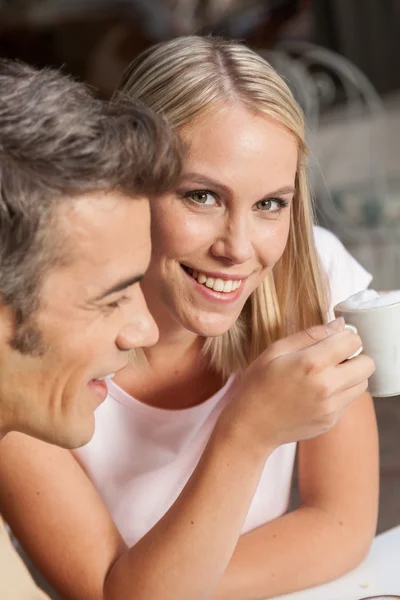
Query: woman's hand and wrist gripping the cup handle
{"x": 299, "y": 387}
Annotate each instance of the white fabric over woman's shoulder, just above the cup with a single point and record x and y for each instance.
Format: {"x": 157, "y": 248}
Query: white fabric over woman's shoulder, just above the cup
{"x": 345, "y": 274}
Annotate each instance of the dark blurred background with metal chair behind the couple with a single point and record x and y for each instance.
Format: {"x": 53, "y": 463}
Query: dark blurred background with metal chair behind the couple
{"x": 341, "y": 59}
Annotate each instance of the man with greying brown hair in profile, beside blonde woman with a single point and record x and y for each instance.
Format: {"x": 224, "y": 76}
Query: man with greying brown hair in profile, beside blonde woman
{"x": 75, "y": 178}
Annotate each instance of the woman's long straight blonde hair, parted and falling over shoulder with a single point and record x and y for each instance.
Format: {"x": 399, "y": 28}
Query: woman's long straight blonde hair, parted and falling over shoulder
{"x": 184, "y": 79}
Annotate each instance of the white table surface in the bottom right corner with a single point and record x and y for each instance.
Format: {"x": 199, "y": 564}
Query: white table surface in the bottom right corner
{"x": 378, "y": 574}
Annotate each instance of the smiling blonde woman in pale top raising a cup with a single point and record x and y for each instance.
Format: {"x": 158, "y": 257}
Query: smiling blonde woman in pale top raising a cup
{"x": 183, "y": 492}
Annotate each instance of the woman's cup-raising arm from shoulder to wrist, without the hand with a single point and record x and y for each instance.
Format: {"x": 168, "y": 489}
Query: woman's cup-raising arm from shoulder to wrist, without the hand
{"x": 63, "y": 524}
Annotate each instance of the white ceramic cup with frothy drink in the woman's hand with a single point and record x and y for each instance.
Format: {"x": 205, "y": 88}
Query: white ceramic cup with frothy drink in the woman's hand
{"x": 379, "y": 329}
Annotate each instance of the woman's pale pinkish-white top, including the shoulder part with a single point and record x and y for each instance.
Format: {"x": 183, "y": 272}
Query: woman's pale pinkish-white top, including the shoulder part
{"x": 141, "y": 457}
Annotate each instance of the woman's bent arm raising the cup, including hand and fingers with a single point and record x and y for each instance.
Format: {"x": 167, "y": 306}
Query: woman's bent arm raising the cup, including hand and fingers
{"x": 60, "y": 519}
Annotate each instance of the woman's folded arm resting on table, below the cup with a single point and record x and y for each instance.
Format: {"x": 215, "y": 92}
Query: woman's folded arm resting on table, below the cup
{"x": 332, "y": 530}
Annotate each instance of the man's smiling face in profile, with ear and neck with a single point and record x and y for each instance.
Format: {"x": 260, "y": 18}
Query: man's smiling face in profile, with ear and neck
{"x": 91, "y": 313}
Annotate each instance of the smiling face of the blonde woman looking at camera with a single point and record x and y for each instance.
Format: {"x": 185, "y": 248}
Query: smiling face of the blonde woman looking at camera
{"x": 227, "y": 225}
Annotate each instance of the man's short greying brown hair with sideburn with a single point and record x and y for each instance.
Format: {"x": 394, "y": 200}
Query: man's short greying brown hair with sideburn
{"x": 57, "y": 142}
